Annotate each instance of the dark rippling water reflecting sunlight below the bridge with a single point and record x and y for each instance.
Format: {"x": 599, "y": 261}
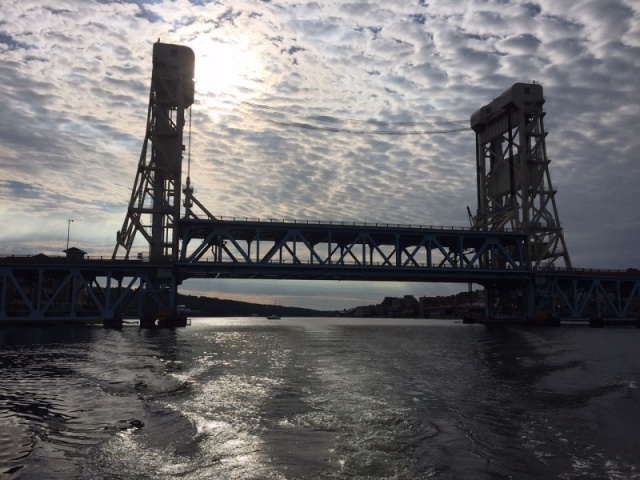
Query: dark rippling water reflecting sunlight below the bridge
{"x": 320, "y": 399}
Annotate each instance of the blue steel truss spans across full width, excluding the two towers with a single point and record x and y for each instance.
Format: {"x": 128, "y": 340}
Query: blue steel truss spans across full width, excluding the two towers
{"x": 90, "y": 290}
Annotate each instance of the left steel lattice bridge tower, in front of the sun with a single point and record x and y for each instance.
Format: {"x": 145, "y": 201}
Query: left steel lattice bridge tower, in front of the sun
{"x": 154, "y": 207}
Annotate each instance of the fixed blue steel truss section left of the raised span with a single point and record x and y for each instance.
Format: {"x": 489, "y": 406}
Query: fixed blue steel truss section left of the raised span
{"x": 53, "y": 289}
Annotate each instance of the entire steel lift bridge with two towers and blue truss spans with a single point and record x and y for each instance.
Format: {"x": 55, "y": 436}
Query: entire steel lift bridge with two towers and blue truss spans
{"x": 514, "y": 248}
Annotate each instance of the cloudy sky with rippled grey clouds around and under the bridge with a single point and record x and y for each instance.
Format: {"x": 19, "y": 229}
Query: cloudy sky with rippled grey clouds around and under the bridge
{"x": 388, "y": 85}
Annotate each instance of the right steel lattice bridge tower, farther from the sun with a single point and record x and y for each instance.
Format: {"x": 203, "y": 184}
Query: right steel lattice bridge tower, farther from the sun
{"x": 514, "y": 183}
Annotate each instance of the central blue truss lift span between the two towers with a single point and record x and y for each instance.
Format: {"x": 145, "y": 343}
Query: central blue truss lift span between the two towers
{"x": 263, "y": 249}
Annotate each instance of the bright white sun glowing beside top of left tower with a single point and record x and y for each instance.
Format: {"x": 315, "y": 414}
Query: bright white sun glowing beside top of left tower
{"x": 225, "y": 69}
